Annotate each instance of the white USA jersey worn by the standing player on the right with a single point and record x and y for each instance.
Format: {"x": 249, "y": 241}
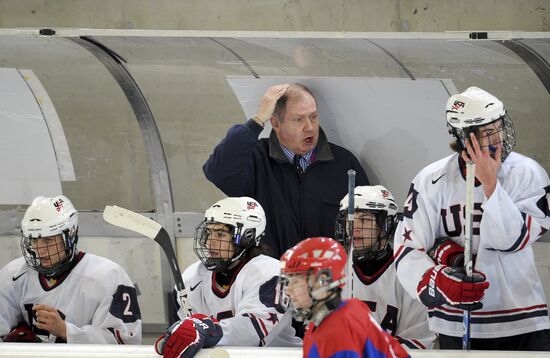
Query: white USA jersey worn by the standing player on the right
{"x": 504, "y": 228}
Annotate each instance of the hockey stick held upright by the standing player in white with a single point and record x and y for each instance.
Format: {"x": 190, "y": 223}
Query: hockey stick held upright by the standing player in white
{"x": 468, "y": 264}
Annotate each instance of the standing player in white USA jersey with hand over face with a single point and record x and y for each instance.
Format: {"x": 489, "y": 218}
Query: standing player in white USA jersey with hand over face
{"x": 511, "y": 211}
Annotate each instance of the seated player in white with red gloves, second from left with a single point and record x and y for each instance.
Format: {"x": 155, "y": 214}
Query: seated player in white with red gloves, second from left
{"x": 234, "y": 281}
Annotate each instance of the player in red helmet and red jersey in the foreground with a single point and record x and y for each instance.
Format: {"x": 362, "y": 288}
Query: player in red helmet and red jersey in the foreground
{"x": 312, "y": 280}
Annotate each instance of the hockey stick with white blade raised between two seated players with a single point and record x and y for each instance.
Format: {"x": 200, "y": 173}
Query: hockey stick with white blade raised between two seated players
{"x": 135, "y": 222}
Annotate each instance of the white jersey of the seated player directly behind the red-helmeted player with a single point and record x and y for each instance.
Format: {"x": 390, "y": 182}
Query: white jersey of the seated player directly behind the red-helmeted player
{"x": 395, "y": 310}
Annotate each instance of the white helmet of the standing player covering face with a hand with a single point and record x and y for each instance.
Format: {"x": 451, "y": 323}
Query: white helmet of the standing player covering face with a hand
{"x": 476, "y": 108}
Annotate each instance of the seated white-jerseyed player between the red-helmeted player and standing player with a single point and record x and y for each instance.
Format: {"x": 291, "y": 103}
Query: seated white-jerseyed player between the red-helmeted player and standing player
{"x": 374, "y": 277}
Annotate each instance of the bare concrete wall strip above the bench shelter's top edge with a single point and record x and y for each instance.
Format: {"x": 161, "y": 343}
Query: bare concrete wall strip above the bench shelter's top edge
{"x": 279, "y": 15}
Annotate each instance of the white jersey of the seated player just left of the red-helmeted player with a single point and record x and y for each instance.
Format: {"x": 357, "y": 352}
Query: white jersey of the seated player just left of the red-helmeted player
{"x": 246, "y": 310}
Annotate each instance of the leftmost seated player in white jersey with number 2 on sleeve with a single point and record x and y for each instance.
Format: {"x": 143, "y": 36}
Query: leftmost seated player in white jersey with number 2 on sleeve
{"x": 56, "y": 293}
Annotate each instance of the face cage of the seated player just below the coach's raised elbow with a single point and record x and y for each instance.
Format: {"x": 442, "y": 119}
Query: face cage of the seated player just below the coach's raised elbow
{"x": 219, "y": 245}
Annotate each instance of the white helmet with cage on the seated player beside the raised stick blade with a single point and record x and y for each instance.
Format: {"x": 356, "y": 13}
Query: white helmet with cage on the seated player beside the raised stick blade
{"x": 246, "y": 219}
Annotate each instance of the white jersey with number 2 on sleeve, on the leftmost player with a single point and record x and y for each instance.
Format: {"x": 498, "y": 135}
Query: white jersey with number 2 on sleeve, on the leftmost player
{"x": 96, "y": 298}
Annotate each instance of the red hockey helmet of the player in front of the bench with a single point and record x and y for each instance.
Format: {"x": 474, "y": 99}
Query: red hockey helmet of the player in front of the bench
{"x": 314, "y": 255}
